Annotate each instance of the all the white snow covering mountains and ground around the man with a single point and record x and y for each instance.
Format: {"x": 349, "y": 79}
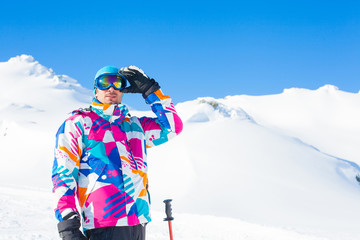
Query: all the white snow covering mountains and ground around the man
{"x": 277, "y": 166}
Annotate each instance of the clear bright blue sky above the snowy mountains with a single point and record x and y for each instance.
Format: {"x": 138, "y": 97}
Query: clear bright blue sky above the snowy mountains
{"x": 192, "y": 48}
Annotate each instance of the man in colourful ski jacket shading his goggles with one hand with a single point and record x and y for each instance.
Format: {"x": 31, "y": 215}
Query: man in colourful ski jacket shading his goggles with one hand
{"x": 100, "y": 158}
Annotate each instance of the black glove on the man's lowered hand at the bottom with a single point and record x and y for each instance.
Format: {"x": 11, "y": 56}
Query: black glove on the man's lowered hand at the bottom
{"x": 69, "y": 229}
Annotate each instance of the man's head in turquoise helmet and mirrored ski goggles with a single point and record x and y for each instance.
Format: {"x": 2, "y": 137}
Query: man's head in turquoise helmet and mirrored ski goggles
{"x": 107, "y": 85}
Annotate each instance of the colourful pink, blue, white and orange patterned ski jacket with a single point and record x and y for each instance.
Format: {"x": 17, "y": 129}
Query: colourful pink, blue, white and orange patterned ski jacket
{"x": 100, "y": 159}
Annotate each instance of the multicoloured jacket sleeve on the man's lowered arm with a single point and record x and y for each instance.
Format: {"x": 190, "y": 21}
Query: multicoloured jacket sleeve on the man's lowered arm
{"x": 68, "y": 150}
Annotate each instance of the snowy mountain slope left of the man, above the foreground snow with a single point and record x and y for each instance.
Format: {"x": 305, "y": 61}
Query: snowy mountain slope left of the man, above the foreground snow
{"x": 33, "y": 104}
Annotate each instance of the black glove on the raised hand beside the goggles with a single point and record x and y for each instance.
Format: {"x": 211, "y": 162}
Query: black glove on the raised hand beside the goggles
{"x": 139, "y": 81}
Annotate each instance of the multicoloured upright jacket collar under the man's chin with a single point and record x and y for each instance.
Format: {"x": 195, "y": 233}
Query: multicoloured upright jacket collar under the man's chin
{"x": 110, "y": 112}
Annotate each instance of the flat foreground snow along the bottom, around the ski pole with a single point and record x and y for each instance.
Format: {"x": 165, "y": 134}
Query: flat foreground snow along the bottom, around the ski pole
{"x": 19, "y": 222}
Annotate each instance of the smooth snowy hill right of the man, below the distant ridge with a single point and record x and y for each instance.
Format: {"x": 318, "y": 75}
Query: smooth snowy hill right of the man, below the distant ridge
{"x": 232, "y": 166}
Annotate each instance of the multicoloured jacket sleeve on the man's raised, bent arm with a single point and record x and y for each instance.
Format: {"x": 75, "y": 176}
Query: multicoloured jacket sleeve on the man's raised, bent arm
{"x": 167, "y": 124}
